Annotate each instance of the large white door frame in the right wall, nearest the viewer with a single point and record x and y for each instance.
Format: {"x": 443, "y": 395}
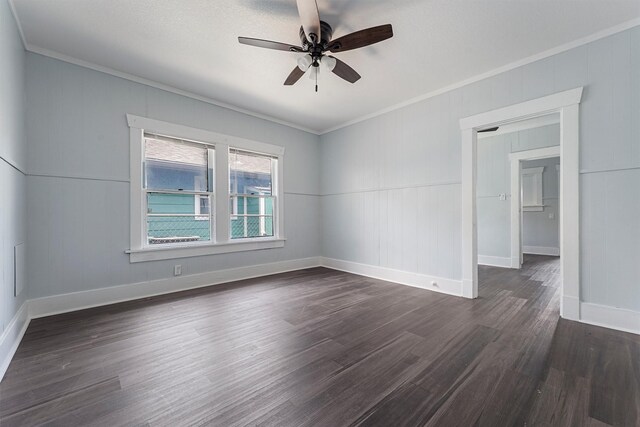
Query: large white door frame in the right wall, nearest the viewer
{"x": 567, "y": 104}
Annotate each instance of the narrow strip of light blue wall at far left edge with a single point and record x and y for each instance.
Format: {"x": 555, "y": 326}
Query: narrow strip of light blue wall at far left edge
{"x": 12, "y": 160}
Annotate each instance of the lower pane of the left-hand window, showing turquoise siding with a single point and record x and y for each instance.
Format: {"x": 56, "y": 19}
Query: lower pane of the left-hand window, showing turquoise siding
{"x": 172, "y": 218}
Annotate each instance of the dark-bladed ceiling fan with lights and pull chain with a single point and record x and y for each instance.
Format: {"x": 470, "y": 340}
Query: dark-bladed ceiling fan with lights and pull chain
{"x": 315, "y": 38}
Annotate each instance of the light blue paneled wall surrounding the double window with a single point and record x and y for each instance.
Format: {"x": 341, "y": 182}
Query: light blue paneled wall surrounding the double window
{"x": 78, "y": 184}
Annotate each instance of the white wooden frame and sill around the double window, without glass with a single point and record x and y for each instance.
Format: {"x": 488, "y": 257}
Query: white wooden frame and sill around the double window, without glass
{"x": 221, "y": 241}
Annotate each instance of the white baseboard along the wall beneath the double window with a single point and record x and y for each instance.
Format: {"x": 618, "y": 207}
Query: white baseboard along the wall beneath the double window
{"x": 47, "y": 306}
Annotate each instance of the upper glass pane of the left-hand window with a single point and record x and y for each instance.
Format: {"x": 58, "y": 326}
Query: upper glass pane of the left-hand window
{"x": 175, "y": 165}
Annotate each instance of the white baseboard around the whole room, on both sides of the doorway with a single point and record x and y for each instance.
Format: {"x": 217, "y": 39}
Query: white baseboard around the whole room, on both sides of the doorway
{"x": 599, "y": 315}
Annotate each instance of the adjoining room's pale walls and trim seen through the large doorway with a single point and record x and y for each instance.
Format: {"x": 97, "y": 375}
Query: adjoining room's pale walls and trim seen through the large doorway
{"x": 505, "y": 183}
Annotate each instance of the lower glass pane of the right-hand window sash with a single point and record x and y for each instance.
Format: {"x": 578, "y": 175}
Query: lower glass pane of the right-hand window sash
{"x": 252, "y": 217}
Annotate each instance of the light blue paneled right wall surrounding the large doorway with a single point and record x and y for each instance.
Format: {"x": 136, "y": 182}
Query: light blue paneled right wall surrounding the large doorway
{"x": 391, "y": 184}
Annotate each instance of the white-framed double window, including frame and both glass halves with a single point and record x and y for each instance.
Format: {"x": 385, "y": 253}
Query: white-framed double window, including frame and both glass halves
{"x": 195, "y": 192}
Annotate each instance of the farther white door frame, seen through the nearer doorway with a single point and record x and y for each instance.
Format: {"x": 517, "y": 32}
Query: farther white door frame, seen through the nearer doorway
{"x": 515, "y": 164}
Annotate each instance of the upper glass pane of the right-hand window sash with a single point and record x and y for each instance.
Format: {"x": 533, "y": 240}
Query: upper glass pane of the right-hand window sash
{"x": 249, "y": 173}
